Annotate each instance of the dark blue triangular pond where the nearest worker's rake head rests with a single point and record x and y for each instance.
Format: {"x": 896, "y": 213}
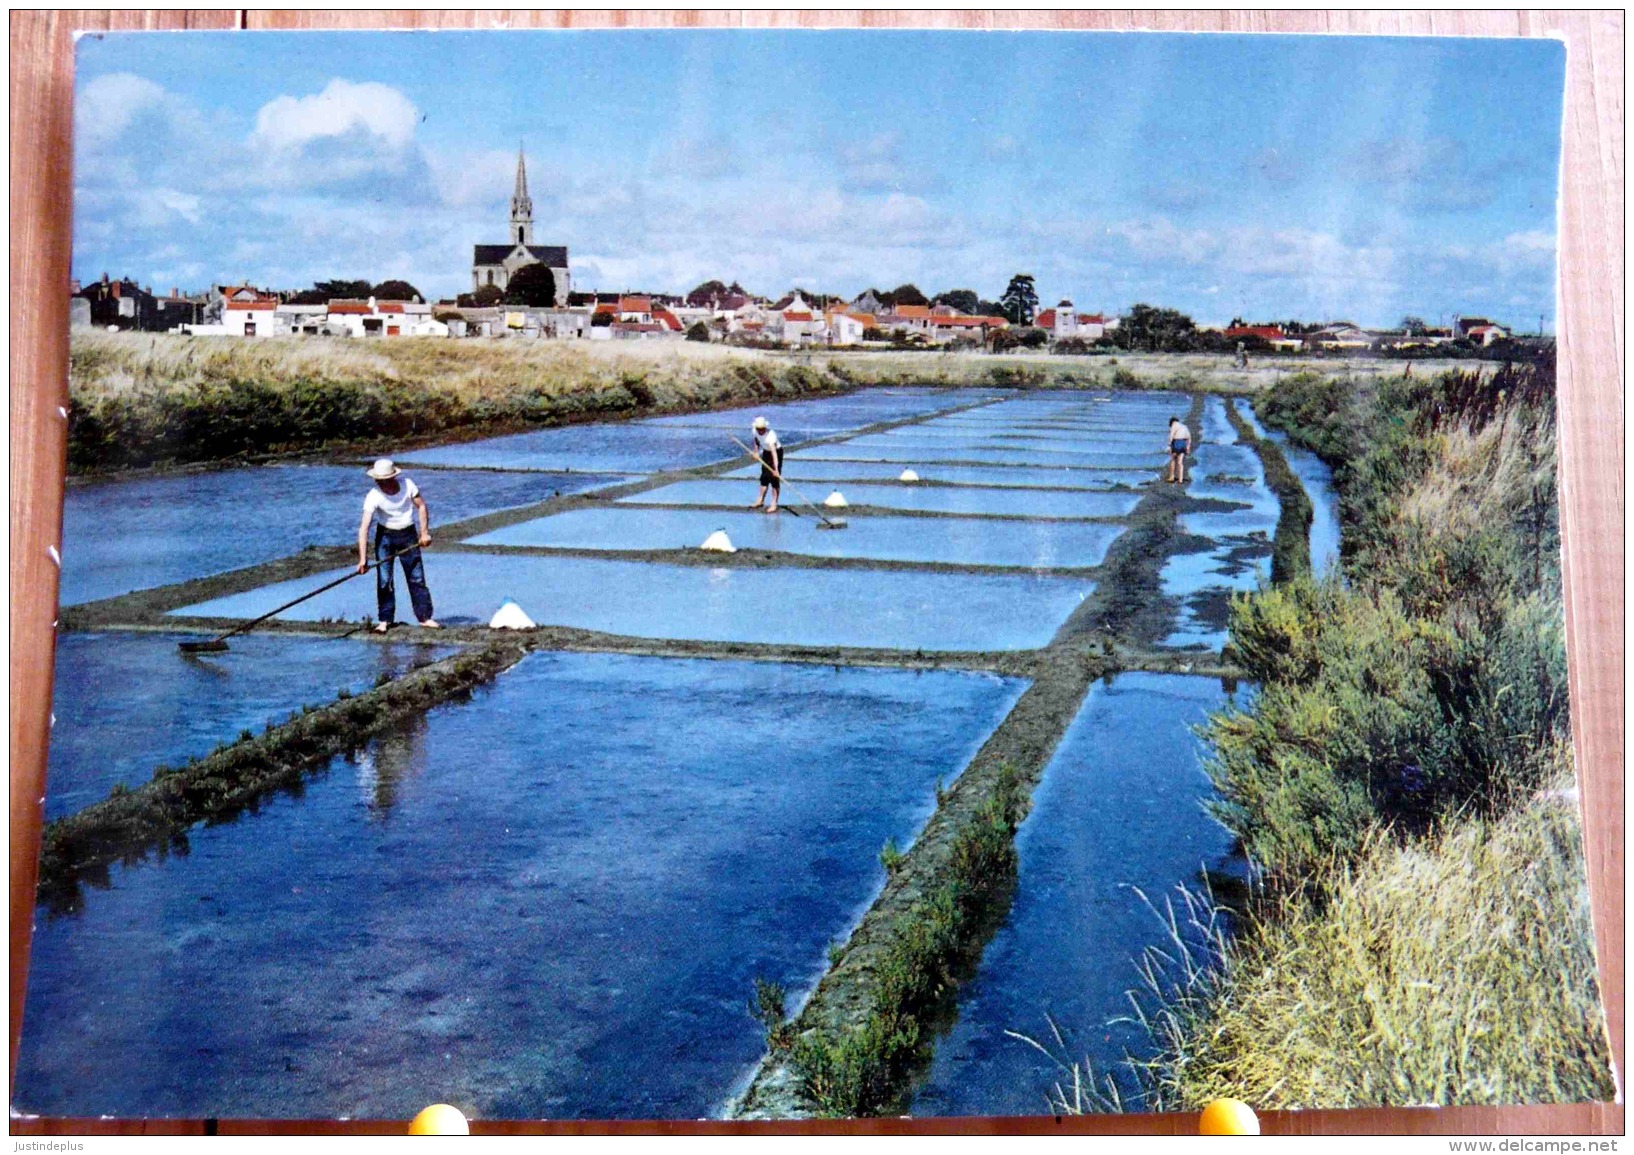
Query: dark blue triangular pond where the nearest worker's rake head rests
{"x": 127, "y": 703}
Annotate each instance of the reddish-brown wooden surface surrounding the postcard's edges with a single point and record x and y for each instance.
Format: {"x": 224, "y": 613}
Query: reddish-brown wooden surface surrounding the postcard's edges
{"x": 1591, "y": 324}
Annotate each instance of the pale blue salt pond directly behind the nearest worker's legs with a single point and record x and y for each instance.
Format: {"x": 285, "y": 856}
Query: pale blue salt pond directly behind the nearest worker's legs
{"x": 797, "y": 607}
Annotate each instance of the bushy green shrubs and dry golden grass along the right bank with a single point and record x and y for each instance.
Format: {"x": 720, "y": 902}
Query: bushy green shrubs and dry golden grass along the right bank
{"x": 1403, "y": 782}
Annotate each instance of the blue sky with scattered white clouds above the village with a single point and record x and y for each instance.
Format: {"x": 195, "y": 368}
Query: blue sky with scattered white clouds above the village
{"x": 1259, "y": 176}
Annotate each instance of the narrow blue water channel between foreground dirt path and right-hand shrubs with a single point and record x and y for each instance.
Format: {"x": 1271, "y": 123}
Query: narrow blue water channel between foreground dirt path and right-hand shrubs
{"x": 1120, "y": 808}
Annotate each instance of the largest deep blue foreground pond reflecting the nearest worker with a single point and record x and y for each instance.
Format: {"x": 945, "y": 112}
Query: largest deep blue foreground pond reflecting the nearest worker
{"x": 548, "y": 903}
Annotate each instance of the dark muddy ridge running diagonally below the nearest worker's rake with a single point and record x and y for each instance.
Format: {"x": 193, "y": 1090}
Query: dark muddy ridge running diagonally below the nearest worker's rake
{"x": 132, "y": 823}
